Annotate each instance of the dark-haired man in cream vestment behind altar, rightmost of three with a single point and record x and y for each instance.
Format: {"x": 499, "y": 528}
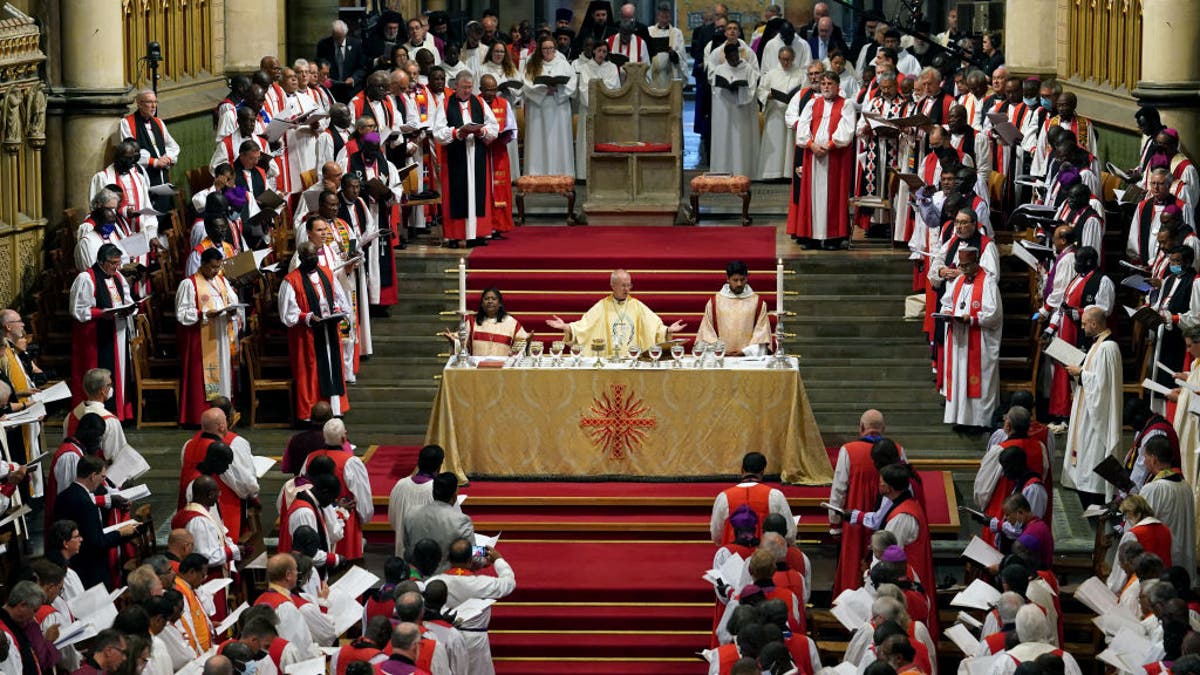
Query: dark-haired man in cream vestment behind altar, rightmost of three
{"x": 737, "y": 316}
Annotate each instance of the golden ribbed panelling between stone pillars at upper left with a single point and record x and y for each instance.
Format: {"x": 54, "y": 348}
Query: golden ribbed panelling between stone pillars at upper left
{"x": 184, "y": 31}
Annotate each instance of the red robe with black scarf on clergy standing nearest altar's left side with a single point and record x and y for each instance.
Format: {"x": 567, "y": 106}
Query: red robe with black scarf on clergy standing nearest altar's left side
{"x": 313, "y": 383}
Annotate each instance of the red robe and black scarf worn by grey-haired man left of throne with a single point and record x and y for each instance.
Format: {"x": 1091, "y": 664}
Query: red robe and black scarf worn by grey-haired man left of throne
{"x": 460, "y": 169}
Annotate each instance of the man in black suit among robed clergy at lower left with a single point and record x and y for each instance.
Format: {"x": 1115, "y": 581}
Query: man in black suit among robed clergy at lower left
{"x": 79, "y": 504}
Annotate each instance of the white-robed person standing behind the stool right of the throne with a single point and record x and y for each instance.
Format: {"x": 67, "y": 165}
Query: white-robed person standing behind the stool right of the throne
{"x": 735, "y": 117}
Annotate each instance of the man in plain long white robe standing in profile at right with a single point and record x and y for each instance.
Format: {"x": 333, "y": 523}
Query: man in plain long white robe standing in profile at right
{"x": 1096, "y": 414}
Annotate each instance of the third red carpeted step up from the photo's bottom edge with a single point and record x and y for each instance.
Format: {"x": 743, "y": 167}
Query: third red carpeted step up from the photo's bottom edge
{"x": 604, "y": 617}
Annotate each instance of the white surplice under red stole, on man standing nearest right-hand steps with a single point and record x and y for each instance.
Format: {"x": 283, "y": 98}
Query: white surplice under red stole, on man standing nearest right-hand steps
{"x": 961, "y": 409}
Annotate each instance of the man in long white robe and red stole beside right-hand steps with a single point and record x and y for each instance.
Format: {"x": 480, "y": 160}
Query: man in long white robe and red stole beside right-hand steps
{"x": 971, "y": 384}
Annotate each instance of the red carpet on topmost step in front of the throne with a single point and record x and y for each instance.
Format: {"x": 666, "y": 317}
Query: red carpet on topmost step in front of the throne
{"x": 635, "y": 248}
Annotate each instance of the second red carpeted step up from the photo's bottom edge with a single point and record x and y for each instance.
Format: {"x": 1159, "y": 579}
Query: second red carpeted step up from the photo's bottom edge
{"x": 571, "y": 643}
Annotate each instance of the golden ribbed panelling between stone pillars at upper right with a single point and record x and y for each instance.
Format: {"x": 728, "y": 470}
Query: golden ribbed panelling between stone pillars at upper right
{"x": 1105, "y": 43}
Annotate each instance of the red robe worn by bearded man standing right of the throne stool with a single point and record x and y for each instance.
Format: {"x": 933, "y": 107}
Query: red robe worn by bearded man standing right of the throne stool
{"x": 841, "y": 163}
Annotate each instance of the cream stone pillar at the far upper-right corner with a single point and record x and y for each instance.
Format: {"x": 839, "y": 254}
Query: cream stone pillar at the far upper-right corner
{"x": 1171, "y": 65}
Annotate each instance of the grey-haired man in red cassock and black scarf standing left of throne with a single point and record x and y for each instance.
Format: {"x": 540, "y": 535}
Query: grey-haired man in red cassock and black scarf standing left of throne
{"x": 469, "y": 128}
